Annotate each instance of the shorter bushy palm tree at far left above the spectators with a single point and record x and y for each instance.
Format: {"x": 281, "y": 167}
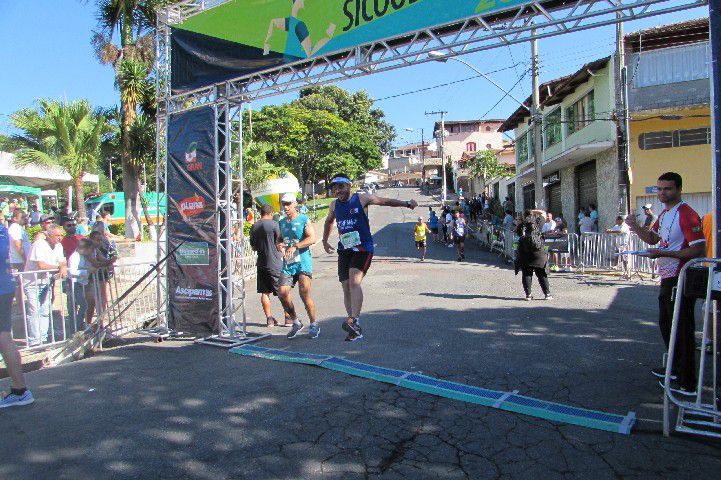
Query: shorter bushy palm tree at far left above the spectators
{"x": 63, "y": 134}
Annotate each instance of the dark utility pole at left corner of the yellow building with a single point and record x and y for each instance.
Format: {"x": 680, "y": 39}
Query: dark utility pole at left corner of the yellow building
{"x": 622, "y": 121}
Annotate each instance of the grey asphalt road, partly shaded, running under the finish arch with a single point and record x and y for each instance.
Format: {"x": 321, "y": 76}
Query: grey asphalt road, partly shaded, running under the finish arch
{"x": 179, "y": 410}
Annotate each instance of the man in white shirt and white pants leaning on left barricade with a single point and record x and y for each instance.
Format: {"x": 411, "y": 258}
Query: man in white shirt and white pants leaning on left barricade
{"x": 46, "y": 255}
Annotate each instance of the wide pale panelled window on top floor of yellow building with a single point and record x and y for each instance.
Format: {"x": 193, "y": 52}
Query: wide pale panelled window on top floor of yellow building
{"x": 671, "y": 65}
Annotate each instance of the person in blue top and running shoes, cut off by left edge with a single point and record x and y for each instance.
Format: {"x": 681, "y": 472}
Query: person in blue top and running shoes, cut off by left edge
{"x": 19, "y": 394}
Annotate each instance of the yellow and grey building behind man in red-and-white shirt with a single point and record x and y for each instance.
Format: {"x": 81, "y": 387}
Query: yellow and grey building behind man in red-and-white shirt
{"x": 669, "y": 96}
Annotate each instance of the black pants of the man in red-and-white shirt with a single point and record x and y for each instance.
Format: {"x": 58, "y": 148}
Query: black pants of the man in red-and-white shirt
{"x": 684, "y": 358}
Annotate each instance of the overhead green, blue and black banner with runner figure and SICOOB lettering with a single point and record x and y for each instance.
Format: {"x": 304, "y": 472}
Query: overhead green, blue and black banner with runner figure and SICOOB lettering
{"x": 241, "y": 37}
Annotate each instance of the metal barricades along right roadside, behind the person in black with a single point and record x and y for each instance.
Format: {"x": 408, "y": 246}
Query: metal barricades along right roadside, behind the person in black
{"x": 571, "y": 252}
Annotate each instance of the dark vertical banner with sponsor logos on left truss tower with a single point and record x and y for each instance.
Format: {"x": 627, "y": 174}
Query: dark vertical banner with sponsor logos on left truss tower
{"x": 193, "y": 268}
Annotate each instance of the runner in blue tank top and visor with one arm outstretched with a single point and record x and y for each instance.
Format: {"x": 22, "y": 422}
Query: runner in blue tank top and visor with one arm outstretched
{"x": 355, "y": 247}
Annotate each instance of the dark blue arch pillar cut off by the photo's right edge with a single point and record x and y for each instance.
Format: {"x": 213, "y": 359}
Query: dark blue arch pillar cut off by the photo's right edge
{"x": 715, "y": 41}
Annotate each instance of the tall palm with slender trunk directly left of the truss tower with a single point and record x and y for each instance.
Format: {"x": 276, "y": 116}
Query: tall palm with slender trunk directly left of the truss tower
{"x": 132, "y": 57}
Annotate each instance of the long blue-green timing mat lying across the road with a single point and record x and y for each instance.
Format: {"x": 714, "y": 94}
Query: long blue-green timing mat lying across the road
{"x": 510, "y": 401}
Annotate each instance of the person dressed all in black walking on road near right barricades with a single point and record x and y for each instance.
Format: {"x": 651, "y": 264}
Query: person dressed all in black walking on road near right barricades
{"x": 531, "y": 256}
